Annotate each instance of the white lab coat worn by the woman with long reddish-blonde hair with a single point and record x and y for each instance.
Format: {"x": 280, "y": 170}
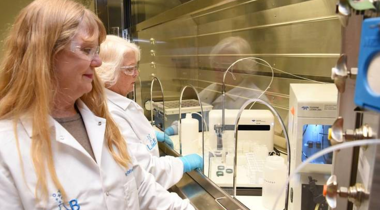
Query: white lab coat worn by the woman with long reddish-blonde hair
{"x": 88, "y": 184}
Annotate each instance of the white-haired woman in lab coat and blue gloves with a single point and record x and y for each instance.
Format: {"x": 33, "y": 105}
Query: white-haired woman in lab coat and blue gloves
{"x": 119, "y": 72}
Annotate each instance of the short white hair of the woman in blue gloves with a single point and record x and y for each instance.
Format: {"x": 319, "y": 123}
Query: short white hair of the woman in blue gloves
{"x": 112, "y": 52}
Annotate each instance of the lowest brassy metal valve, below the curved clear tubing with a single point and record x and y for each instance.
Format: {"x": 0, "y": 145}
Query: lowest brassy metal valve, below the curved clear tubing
{"x": 355, "y": 194}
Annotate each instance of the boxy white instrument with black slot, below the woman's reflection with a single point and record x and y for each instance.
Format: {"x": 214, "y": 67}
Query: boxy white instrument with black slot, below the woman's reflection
{"x": 255, "y": 135}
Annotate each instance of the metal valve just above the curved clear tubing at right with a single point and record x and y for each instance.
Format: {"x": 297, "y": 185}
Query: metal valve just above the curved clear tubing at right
{"x": 337, "y": 135}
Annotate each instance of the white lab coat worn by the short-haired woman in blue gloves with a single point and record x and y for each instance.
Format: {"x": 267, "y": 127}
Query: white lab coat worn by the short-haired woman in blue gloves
{"x": 141, "y": 139}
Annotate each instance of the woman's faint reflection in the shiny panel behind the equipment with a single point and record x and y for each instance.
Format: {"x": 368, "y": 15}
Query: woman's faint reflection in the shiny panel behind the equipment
{"x": 222, "y": 55}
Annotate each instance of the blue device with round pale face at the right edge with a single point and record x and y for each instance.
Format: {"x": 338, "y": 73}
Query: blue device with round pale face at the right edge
{"x": 367, "y": 89}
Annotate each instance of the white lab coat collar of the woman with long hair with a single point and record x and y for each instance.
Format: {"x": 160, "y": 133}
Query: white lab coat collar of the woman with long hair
{"x": 95, "y": 127}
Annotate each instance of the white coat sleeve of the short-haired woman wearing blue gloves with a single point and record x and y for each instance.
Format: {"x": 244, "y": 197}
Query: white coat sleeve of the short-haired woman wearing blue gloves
{"x": 166, "y": 170}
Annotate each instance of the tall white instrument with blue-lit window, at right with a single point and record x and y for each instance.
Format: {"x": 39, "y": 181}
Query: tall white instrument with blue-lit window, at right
{"x": 312, "y": 111}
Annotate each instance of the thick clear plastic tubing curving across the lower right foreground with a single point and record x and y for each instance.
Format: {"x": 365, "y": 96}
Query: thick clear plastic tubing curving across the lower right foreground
{"x": 320, "y": 154}
